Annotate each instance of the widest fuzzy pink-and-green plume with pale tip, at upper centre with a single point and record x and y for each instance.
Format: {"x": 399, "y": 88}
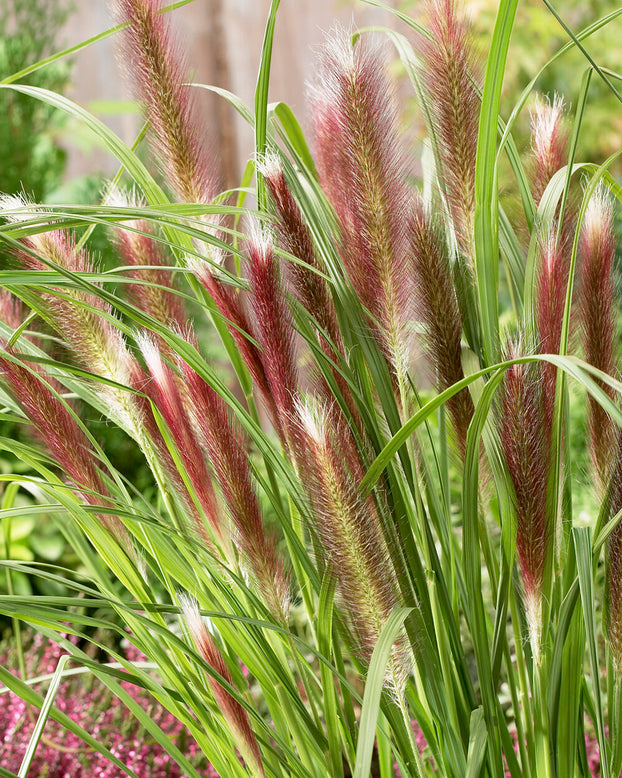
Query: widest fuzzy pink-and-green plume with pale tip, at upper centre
{"x": 363, "y": 172}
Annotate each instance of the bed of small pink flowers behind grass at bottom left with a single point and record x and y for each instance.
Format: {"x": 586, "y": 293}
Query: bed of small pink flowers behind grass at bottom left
{"x": 62, "y": 754}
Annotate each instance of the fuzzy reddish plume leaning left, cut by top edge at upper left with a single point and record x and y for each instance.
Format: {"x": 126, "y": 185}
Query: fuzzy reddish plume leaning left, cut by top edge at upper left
{"x": 159, "y": 72}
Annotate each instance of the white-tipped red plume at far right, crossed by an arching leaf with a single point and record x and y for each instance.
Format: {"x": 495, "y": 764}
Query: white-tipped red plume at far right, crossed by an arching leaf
{"x": 597, "y": 315}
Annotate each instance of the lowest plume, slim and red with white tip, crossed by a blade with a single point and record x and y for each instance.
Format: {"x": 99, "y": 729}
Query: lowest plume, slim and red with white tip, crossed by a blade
{"x": 234, "y": 714}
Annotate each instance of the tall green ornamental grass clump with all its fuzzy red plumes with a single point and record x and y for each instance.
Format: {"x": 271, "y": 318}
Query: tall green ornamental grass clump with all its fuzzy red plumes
{"x": 374, "y": 407}
